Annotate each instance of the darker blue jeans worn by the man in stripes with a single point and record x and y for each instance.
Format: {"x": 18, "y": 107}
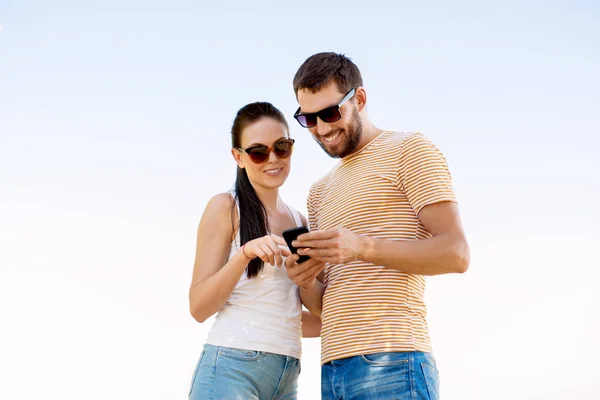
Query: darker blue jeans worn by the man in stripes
{"x": 381, "y": 376}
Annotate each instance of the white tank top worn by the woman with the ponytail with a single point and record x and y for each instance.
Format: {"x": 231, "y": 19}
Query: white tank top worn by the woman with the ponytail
{"x": 263, "y": 313}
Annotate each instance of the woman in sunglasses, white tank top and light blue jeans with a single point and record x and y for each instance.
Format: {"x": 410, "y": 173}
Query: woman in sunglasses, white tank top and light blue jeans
{"x": 253, "y": 349}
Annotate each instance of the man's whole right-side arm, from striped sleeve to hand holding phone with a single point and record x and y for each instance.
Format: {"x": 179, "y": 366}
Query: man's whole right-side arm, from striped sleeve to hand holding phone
{"x": 423, "y": 176}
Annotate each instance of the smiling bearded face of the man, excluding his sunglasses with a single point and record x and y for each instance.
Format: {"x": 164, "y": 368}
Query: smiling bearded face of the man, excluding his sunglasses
{"x": 340, "y": 138}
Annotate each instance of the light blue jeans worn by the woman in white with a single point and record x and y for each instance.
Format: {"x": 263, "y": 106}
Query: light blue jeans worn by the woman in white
{"x": 223, "y": 373}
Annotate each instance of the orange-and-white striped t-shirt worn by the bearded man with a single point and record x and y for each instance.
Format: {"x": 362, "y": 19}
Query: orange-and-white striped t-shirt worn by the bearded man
{"x": 377, "y": 191}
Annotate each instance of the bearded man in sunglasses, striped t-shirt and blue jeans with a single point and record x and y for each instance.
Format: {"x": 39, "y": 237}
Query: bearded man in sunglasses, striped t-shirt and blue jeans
{"x": 383, "y": 218}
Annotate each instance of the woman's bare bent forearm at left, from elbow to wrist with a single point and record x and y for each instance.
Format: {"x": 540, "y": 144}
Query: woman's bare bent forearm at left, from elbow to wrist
{"x": 210, "y": 295}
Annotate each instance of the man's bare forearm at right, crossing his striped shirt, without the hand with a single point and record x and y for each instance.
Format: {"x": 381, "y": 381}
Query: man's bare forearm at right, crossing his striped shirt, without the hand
{"x": 442, "y": 254}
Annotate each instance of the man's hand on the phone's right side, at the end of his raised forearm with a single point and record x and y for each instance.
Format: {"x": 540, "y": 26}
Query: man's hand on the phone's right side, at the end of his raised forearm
{"x": 334, "y": 246}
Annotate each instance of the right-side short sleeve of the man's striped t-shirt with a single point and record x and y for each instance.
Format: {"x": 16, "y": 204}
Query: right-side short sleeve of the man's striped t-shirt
{"x": 423, "y": 173}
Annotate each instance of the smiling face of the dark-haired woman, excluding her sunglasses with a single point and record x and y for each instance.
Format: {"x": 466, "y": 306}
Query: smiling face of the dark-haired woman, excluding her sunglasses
{"x": 273, "y": 172}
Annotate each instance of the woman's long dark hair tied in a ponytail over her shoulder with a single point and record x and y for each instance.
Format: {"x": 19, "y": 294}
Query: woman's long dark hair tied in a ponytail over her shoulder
{"x": 253, "y": 215}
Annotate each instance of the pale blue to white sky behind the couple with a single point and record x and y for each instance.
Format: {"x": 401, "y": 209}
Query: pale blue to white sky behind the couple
{"x": 114, "y": 132}
